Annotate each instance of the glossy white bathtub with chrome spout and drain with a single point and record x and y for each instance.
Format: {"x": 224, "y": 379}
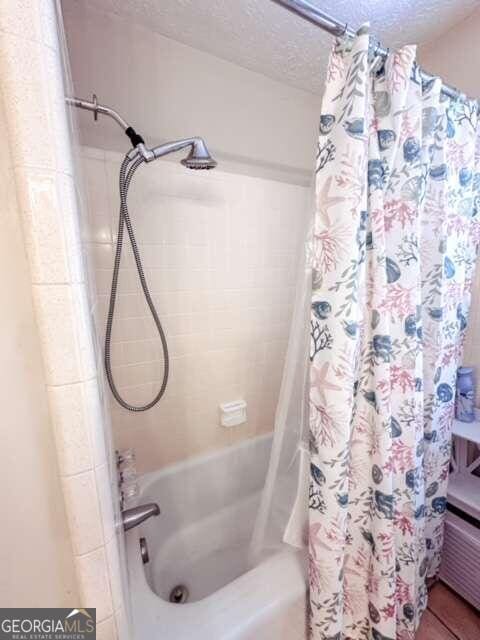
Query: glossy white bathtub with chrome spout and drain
{"x": 200, "y": 540}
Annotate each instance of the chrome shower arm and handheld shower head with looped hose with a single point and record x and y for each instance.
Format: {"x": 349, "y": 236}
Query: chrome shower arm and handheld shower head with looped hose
{"x": 197, "y": 158}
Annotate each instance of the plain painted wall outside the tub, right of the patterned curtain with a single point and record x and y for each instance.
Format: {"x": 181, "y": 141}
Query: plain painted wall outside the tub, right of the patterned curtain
{"x": 455, "y": 58}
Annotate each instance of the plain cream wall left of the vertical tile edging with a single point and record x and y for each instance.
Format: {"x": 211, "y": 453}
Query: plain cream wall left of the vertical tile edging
{"x": 35, "y": 551}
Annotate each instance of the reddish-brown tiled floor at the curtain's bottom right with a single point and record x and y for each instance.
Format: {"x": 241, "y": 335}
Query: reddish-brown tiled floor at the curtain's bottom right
{"x": 448, "y": 617}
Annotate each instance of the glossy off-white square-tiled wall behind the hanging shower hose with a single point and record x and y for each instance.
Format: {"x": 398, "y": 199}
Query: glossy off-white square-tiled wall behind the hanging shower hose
{"x": 220, "y": 252}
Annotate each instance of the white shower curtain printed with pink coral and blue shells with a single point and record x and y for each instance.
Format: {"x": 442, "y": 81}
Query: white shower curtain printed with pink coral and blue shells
{"x": 394, "y": 247}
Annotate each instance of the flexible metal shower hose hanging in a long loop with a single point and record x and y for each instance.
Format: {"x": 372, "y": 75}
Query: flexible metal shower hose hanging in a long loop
{"x": 127, "y": 170}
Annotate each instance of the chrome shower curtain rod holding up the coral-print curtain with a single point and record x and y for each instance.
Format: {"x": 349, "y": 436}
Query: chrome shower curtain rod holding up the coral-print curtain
{"x": 319, "y": 18}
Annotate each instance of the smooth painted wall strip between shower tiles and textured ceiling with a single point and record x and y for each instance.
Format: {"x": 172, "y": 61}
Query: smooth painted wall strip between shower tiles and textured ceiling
{"x": 169, "y": 90}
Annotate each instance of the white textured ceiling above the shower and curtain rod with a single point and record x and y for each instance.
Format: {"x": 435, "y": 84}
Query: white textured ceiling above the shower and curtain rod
{"x": 264, "y": 37}
